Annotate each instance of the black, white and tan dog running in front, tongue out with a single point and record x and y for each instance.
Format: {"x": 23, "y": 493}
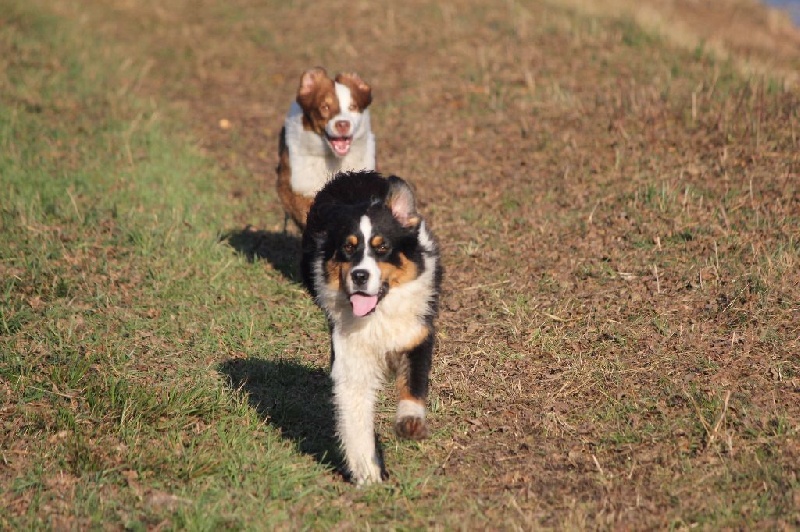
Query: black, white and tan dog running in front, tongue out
{"x": 371, "y": 263}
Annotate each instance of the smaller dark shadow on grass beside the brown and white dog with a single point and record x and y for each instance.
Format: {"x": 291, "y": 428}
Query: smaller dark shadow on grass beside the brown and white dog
{"x": 281, "y": 249}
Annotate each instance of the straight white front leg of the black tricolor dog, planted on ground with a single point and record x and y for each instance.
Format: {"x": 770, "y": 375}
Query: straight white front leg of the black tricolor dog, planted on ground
{"x": 355, "y": 384}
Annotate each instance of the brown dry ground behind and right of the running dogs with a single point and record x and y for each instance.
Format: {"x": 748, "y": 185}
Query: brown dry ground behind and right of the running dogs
{"x": 619, "y": 225}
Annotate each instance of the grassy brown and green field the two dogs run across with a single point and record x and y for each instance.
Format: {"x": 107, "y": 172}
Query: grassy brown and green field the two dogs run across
{"x": 616, "y": 190}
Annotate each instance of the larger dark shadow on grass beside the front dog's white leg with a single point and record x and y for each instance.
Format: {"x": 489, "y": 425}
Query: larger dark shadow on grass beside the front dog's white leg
{"x": 292, "y": 397}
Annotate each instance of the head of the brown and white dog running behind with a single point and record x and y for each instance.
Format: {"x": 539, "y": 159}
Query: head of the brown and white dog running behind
{"x": 333, "y": 109}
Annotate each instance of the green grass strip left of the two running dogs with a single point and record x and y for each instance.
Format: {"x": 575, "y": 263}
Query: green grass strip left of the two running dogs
{"x": 112, "y": 411}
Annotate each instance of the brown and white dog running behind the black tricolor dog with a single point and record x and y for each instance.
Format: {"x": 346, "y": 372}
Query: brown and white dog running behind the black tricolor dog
{"x": 326, "y": 131}
